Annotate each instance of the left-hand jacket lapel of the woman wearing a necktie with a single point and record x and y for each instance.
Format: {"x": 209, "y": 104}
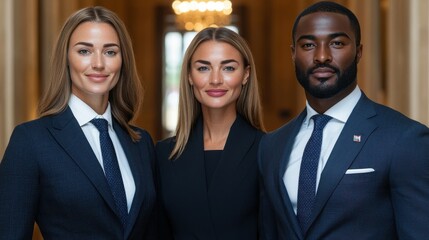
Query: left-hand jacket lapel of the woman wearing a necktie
{"x": 67, "y": 132}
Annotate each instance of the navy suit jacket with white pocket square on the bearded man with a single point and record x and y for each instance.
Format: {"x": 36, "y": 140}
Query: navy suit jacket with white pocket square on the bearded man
{"x": 392, "y": 202}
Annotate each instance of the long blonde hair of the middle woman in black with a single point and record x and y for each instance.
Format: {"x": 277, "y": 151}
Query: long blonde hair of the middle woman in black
{"x": 248, "y": 103}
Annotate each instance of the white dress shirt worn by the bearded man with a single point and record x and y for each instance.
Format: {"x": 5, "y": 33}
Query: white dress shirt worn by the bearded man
{"x": 340, "y": 112}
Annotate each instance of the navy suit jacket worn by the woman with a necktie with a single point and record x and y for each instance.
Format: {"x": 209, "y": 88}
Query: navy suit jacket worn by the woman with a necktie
{"x": 49, "y": 174}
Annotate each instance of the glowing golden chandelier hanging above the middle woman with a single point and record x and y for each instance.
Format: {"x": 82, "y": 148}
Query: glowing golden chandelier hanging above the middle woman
{"x": 194, "y": 15}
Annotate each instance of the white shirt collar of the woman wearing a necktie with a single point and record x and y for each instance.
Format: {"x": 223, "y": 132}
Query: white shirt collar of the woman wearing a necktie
{"x": 84, "y": 113}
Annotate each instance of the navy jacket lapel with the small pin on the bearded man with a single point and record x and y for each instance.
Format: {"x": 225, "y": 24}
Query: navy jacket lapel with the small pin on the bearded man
{"x": 345, "y": 151}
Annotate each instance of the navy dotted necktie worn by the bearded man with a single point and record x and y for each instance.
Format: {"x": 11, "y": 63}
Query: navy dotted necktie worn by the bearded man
{"x": 308, "y": 172}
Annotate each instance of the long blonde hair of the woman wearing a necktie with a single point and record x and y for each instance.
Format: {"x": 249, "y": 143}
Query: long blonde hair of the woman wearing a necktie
{"x": 125, "y": 98}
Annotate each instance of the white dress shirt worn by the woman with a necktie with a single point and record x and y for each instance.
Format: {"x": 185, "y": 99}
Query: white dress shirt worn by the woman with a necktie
{"x": 84, "y": 114}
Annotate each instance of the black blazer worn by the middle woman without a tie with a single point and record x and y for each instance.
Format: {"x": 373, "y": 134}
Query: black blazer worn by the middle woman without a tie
{"x": 229, "y": 209}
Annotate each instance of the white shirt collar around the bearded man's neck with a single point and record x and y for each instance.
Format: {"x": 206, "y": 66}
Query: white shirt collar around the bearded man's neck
{"x": 341, "y": 110}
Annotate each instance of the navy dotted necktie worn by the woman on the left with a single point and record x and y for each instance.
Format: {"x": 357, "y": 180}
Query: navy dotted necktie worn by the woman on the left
{"x": 111, "y": 168}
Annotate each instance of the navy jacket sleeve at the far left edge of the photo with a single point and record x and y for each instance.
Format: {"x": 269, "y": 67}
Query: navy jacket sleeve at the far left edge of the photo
{"x": 18, "y": 186}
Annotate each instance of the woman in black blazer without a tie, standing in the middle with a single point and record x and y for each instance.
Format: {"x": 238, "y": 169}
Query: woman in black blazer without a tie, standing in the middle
{"x": 208, "y": 174}
